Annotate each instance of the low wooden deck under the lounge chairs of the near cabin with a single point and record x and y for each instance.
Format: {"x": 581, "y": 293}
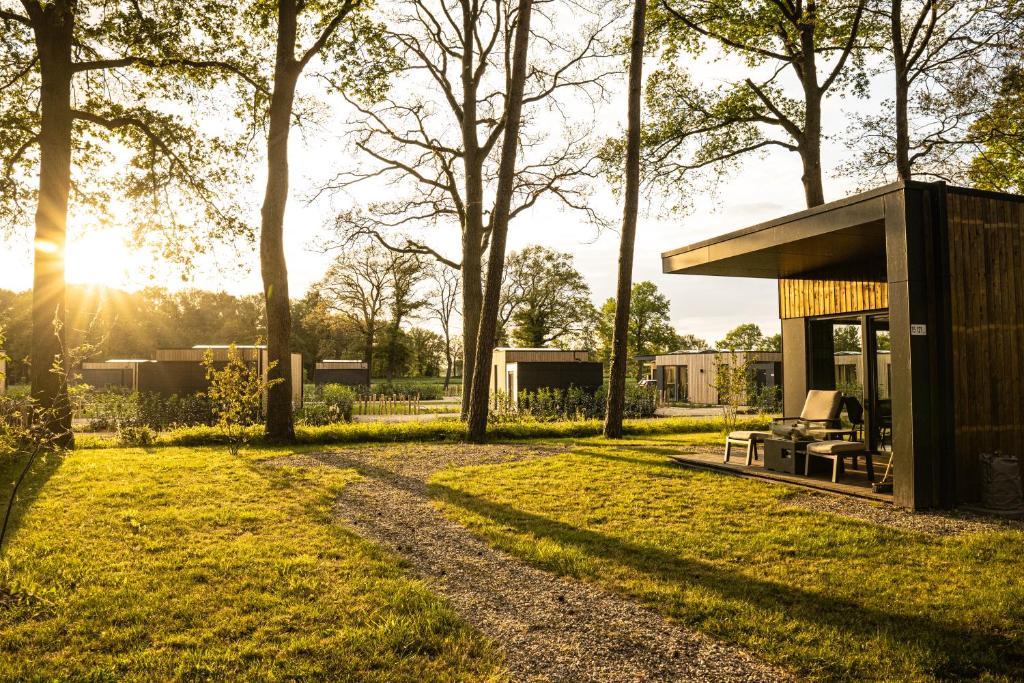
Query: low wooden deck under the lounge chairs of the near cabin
{"x": 854, "y": 484}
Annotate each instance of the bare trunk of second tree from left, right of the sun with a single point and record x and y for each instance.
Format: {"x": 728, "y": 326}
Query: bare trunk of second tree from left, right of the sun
{"x": 280, "y": 424}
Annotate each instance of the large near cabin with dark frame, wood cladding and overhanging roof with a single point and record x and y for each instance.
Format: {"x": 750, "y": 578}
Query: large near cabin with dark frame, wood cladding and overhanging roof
{"x": 932, "y": 274}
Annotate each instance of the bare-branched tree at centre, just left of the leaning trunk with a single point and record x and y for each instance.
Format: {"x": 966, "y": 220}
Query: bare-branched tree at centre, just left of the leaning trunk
{"x": 436, "y": 142}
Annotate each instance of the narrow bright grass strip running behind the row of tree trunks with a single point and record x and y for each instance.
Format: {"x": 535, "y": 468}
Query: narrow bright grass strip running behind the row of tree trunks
{"x": 441, "y": 430}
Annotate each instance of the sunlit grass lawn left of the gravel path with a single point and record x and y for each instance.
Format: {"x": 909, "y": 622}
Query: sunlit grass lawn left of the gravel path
{"x": 190, "y": 565}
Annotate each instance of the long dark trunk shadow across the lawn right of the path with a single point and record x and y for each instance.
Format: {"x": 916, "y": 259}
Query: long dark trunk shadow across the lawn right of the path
{"x": 952, "y": 651}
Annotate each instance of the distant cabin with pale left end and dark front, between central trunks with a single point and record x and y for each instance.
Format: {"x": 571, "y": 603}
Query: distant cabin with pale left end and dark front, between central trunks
{"x": 516, "y": 370}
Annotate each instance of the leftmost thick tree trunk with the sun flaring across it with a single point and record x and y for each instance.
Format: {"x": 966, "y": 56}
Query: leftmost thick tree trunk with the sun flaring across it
{"x": 55, "y": 27}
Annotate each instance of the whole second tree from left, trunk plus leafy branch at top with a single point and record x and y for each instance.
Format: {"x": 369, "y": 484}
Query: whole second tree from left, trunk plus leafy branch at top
{"x": 337, "y": 27}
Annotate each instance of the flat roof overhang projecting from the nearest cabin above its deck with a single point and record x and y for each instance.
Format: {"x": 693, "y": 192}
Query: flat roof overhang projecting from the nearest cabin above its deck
{"x": 844, "y": 238}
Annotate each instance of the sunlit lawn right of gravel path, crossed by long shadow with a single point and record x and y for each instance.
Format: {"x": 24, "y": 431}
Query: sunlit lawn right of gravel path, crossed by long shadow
{"x": 828, "y": 597}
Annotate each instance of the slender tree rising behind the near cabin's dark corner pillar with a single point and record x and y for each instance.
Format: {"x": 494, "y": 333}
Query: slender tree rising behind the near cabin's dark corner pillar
{"x": 947, "y": 57}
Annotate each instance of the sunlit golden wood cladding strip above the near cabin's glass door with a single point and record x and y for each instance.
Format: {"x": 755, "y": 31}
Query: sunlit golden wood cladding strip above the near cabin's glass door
{"x": 804, "y": 298}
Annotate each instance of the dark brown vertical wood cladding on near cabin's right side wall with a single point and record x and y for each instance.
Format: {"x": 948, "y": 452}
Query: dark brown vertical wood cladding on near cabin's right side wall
{"x": 987, "y": 273}
